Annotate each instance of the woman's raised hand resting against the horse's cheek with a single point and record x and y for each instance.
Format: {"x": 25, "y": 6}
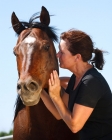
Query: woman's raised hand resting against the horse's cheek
{"x": 54, "y": 85}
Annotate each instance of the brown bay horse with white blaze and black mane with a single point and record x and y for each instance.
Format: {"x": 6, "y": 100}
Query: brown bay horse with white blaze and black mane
{"x": 36, "y": 59}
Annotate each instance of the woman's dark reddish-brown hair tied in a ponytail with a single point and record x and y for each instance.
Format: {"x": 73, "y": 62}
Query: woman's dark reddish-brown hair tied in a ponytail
{"x": 81, "y": 43}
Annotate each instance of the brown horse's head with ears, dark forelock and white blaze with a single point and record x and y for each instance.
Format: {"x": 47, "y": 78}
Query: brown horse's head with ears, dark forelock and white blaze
{"x": 35, "y": 54}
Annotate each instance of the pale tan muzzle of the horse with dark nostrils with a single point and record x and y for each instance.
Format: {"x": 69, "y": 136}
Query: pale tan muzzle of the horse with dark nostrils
{"x": 29, "y": 91}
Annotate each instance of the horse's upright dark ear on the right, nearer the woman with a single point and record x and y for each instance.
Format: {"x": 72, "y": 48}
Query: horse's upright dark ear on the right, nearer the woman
{"x": 44, "y": 16}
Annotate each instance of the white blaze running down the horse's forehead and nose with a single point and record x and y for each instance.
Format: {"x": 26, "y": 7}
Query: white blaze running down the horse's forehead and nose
{"x": 27, "y": 59}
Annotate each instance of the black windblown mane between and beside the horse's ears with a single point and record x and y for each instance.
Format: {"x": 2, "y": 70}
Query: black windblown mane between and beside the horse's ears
{"x": 50, "y": 31}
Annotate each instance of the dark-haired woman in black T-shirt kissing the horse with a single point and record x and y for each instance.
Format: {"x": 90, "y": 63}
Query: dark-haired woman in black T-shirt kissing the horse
{"x": 86, "y": 104}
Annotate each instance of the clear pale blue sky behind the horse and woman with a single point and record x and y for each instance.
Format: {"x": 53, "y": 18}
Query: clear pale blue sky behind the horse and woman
{"x": 91, "y": 16}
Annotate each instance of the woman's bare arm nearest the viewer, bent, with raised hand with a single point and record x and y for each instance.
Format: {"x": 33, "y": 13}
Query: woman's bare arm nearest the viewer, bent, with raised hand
{"x": 75, "y": 120}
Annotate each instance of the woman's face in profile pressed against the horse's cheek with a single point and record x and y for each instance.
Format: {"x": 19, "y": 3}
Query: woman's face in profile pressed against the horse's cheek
{"x": 66, "y": 59}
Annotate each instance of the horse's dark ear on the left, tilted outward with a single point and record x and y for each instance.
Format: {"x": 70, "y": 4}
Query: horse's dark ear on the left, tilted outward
{"x": 16, "y": 24}
